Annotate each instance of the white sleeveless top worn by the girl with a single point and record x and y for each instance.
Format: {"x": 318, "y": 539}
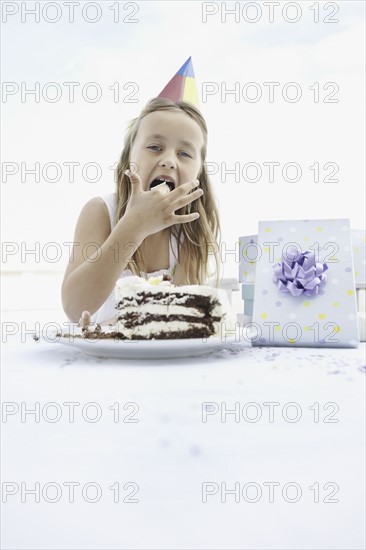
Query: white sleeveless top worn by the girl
{"x": 107, "y": 310}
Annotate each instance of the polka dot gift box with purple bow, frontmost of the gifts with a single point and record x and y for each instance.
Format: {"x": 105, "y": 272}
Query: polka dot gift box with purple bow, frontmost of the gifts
{"x": 305, "y": 285}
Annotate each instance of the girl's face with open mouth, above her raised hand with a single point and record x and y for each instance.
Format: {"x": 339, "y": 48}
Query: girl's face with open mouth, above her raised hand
{"x": 168, "y": 145}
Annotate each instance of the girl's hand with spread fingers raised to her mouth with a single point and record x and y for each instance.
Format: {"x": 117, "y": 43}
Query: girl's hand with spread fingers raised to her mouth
{"x": 154, "y": 210}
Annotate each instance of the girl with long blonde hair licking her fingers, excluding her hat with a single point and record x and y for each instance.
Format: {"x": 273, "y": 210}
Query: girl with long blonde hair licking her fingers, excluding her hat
{"x": 147, "y": 227}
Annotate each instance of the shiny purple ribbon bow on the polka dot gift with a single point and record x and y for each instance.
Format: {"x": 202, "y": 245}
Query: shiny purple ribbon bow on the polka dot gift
{"x": 299, "y": 273}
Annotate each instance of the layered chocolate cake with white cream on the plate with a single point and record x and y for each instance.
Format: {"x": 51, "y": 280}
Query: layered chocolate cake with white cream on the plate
{"x": 157, "y": 309}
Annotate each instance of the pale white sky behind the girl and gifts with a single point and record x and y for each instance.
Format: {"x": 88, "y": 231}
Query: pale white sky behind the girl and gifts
{"x": 149, "y": 52}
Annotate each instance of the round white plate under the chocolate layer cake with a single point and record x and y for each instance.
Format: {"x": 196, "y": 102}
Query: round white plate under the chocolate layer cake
{"x": 148, "y": 349}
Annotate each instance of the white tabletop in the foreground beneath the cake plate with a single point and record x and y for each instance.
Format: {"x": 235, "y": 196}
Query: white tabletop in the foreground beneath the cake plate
{"x": 170, "y": 453}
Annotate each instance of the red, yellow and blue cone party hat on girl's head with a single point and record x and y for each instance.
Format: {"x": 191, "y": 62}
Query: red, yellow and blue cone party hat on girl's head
{"x": 182, "y": 87}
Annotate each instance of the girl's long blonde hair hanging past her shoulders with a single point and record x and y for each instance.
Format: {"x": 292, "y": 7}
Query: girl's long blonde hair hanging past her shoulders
{"x": 199, "y": 237}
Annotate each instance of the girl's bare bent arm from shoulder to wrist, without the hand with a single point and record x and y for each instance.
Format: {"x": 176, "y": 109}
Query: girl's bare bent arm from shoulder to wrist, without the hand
{"x": 97, "y": 259}
